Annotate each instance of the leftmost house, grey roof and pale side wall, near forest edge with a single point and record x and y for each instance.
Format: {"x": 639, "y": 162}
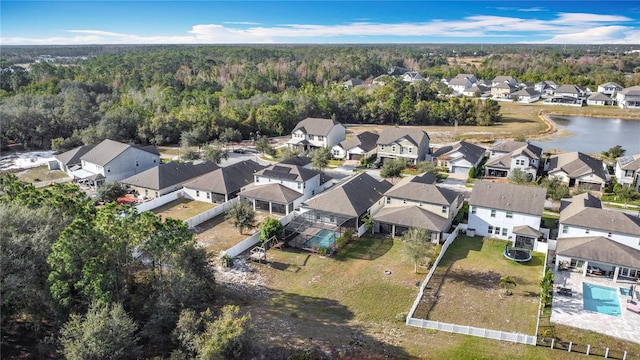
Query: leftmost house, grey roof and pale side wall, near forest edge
{"x": 112, "y": 161}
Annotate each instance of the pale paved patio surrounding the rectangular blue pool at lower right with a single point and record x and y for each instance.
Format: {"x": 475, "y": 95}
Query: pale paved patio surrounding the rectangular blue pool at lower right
{"x": 570, "y": 311}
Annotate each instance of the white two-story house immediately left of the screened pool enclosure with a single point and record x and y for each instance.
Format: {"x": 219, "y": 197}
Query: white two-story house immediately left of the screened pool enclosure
{"x": 281, "y": 188}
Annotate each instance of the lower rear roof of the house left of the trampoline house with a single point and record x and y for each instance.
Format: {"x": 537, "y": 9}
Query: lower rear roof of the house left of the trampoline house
{"x": 412, "y": 216}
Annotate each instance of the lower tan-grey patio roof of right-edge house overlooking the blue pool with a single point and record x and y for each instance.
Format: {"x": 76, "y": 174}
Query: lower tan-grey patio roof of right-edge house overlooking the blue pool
{"x": 599, "y": 249}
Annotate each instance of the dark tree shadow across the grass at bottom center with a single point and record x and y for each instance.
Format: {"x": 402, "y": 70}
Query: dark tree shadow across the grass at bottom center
{"x": 287, "y": 324}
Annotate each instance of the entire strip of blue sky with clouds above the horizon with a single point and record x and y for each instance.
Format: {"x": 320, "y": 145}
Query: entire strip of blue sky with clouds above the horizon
{"x": 319, "y": 22}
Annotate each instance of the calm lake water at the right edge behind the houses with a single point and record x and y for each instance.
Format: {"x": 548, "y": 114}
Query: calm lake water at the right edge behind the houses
{"x": 594, "y": 135}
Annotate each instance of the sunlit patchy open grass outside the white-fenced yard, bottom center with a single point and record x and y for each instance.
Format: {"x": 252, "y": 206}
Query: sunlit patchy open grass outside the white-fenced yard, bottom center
{"x": 353, "y": 301}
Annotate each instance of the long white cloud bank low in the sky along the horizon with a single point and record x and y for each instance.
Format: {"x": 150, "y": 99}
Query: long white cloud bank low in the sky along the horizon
{"x": 565, "y": 28}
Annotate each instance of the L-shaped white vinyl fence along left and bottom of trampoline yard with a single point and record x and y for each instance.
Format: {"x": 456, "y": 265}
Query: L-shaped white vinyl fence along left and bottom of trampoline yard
{"x": 461, "y": 329}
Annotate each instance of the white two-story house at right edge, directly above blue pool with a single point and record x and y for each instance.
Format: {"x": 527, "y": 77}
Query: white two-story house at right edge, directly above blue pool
{"x": 589, "y": 235}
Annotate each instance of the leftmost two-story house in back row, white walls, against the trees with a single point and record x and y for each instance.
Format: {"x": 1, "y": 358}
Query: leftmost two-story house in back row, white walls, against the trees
{"x": 313, "y": 133}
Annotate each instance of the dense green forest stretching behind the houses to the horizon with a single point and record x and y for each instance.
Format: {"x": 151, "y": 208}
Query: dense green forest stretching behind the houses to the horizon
{"x": 160, "y": 94}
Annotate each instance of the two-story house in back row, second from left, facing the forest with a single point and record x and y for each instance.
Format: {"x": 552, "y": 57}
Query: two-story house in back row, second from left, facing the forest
{"x": 403, "y": 143}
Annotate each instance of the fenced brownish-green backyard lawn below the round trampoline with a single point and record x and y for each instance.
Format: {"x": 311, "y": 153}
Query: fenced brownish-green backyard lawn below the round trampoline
{"x": 468, "y": 279}
